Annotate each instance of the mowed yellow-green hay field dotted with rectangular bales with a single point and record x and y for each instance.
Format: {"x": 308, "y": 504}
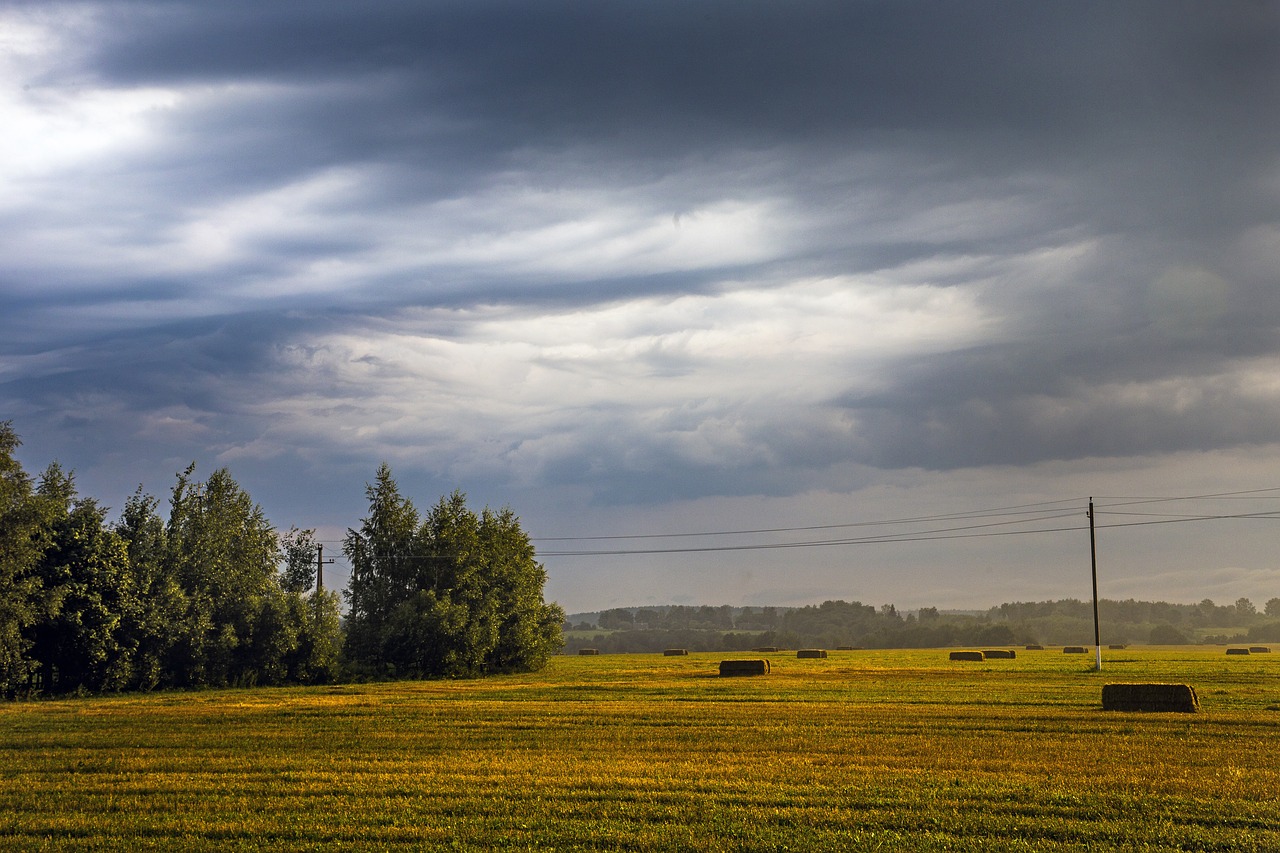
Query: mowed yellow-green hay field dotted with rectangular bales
{"x": 861, "y": 751}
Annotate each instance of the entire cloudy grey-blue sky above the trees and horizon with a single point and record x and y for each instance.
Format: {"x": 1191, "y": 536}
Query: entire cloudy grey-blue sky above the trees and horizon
{"x": 662, "y": 275}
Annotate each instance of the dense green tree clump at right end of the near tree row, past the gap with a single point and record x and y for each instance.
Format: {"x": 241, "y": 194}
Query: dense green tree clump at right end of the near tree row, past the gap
{"x": 455, "y": 594}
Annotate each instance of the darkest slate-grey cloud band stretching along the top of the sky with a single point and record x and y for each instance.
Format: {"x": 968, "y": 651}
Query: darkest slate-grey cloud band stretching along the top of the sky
{"x": 996, "y": 85}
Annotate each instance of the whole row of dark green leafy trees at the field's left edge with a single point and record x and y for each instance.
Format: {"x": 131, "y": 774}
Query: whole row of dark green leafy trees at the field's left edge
{"x": 212, "y": 595}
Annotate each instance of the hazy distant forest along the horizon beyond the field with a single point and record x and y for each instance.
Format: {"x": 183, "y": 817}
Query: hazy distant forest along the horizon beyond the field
{"x": 834, "y": 624}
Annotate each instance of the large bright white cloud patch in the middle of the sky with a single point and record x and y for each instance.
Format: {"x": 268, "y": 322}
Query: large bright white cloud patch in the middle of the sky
{"x": 706, "y": 377}
